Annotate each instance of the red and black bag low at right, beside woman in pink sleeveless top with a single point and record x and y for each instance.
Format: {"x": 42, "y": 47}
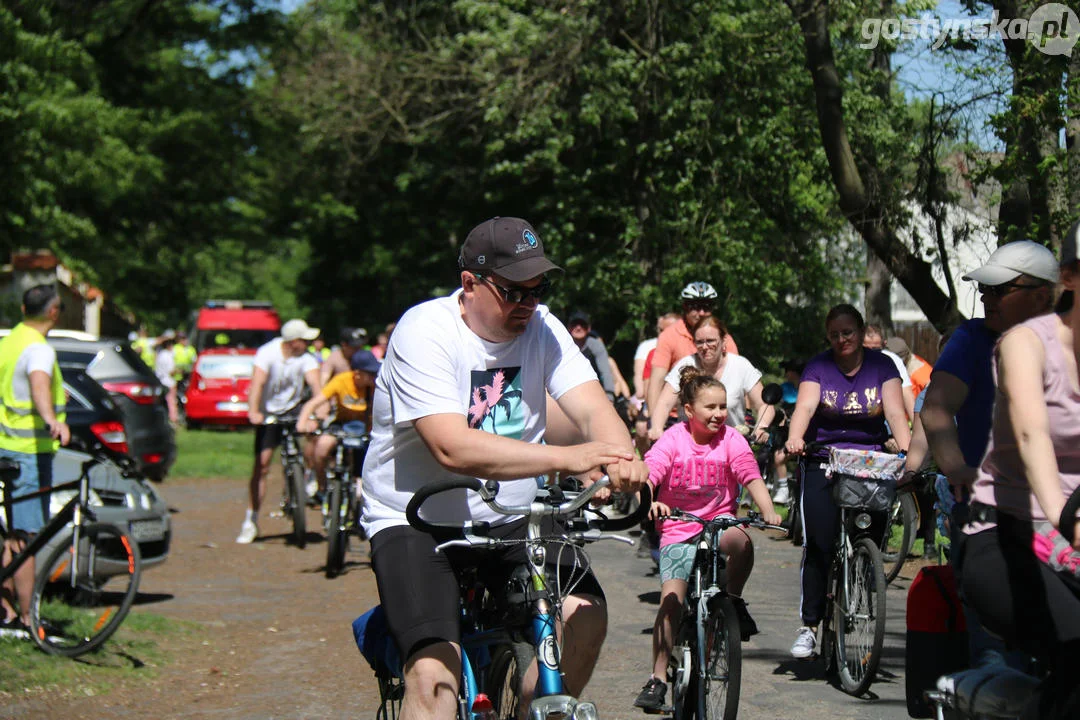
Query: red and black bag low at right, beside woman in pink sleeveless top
{"x": 937, "y": 635}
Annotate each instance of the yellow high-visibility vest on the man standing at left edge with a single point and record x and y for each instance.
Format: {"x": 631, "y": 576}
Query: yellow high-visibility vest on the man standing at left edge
{"x": 22, "y": 428}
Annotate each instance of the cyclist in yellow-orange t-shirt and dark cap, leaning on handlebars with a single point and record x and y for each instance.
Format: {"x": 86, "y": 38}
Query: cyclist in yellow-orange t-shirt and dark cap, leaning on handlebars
{"x": 352, "y": 395}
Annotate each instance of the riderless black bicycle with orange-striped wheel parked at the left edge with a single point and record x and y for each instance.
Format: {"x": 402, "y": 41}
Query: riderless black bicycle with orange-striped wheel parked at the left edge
{"x": 87, "y": 585}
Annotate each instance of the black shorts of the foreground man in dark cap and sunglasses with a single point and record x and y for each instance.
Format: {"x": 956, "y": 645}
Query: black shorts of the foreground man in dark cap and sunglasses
{"x": 420, "y": 589}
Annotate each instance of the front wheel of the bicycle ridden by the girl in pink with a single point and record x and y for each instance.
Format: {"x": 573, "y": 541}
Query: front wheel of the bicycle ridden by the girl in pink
{"x": 721, "y": 651}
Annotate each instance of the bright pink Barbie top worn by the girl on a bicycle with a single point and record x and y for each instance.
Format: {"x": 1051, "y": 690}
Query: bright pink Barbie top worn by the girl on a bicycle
{"x": 703, "y": 480}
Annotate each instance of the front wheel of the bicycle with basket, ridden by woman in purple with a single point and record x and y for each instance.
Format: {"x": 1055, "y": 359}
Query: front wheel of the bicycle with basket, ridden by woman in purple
{"x": 860, "y": 619}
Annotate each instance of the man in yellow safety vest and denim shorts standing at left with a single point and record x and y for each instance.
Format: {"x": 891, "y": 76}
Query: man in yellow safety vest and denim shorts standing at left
{"x": 32, "y": 429}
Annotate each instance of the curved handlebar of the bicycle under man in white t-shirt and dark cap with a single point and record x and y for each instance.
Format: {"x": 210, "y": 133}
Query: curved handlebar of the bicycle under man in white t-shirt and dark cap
{"x": 490, "y": 490}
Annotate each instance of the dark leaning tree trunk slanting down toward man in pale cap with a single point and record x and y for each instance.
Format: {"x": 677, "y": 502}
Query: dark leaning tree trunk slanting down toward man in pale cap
{"x": 866, "y": 214}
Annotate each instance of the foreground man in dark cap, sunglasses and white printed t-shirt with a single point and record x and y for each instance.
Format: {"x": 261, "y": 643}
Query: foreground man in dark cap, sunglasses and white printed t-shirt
{"x": 464, "y": 390}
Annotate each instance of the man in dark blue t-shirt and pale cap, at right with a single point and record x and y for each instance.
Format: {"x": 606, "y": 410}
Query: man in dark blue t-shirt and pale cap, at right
{"x": 1017, "y": 283}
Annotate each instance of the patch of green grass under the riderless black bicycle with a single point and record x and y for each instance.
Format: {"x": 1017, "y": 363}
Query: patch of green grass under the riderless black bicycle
{"x": 133, "y": 655}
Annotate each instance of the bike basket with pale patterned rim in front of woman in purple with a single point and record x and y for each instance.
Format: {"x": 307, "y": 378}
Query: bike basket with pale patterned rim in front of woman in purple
{"x": 863, "y": 480}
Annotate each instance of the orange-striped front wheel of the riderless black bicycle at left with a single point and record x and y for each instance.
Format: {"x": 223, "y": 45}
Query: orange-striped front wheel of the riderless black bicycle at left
{"x": 74, "y": 613}
